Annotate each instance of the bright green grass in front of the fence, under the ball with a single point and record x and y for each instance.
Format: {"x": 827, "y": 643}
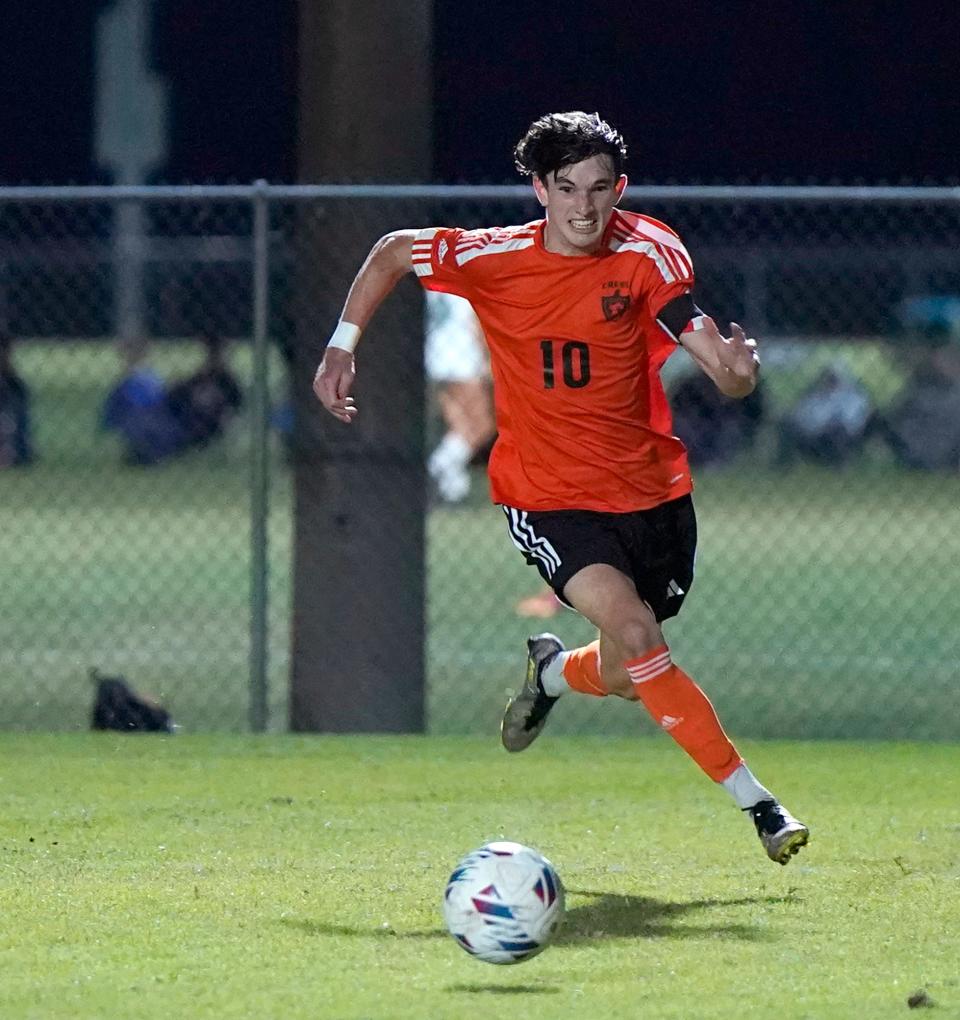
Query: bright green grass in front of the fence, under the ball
{"x": 223, "y": 877}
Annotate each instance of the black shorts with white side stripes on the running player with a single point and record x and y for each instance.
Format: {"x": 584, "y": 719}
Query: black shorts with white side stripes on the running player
{"x": 655, "y": 548}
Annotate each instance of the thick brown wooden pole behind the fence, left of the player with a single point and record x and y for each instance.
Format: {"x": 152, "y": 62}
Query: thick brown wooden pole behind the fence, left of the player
{"x": 359, "y": 634}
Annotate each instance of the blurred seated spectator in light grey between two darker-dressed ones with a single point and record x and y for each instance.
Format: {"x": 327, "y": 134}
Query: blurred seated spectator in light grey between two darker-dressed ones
{"x": 830, "y": 422}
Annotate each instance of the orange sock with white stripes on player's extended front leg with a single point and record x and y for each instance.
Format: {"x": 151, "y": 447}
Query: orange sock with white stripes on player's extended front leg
{"x": 679, "y": 706}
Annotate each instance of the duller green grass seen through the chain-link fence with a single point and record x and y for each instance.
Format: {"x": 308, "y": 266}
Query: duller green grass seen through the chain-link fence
{"x": 825, "y": 606}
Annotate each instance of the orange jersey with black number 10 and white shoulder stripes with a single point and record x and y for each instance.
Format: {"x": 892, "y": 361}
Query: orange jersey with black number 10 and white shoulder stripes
{"x": 576, "y": 352}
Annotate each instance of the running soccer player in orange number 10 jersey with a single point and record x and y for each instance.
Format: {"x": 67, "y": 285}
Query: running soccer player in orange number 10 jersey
{"x": 581, "y": 311}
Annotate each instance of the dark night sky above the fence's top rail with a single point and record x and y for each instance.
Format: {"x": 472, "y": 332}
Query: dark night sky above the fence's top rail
{"x": 705, "y": 92}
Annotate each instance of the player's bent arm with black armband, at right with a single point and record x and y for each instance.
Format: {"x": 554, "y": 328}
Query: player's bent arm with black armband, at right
{"x": 732, "y": 363}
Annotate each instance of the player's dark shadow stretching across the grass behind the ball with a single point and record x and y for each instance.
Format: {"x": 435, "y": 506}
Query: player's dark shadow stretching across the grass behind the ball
{"x": 608, "y": 915}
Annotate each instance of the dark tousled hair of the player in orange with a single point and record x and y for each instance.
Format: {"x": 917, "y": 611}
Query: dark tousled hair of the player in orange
{"x": 560, "y": 140}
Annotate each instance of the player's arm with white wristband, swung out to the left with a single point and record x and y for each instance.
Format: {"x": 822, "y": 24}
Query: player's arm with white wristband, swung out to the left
{"x": 384, "y": 268}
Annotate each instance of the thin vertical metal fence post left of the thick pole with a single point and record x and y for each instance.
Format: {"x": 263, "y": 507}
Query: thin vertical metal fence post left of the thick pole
{"x": 260, "y": 481}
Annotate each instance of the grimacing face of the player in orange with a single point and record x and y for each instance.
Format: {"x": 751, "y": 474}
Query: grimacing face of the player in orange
{"x": 580, "y": 201}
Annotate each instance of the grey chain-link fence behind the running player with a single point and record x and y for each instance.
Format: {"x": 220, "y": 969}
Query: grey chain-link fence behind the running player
{"x": 147, "y": 485}
